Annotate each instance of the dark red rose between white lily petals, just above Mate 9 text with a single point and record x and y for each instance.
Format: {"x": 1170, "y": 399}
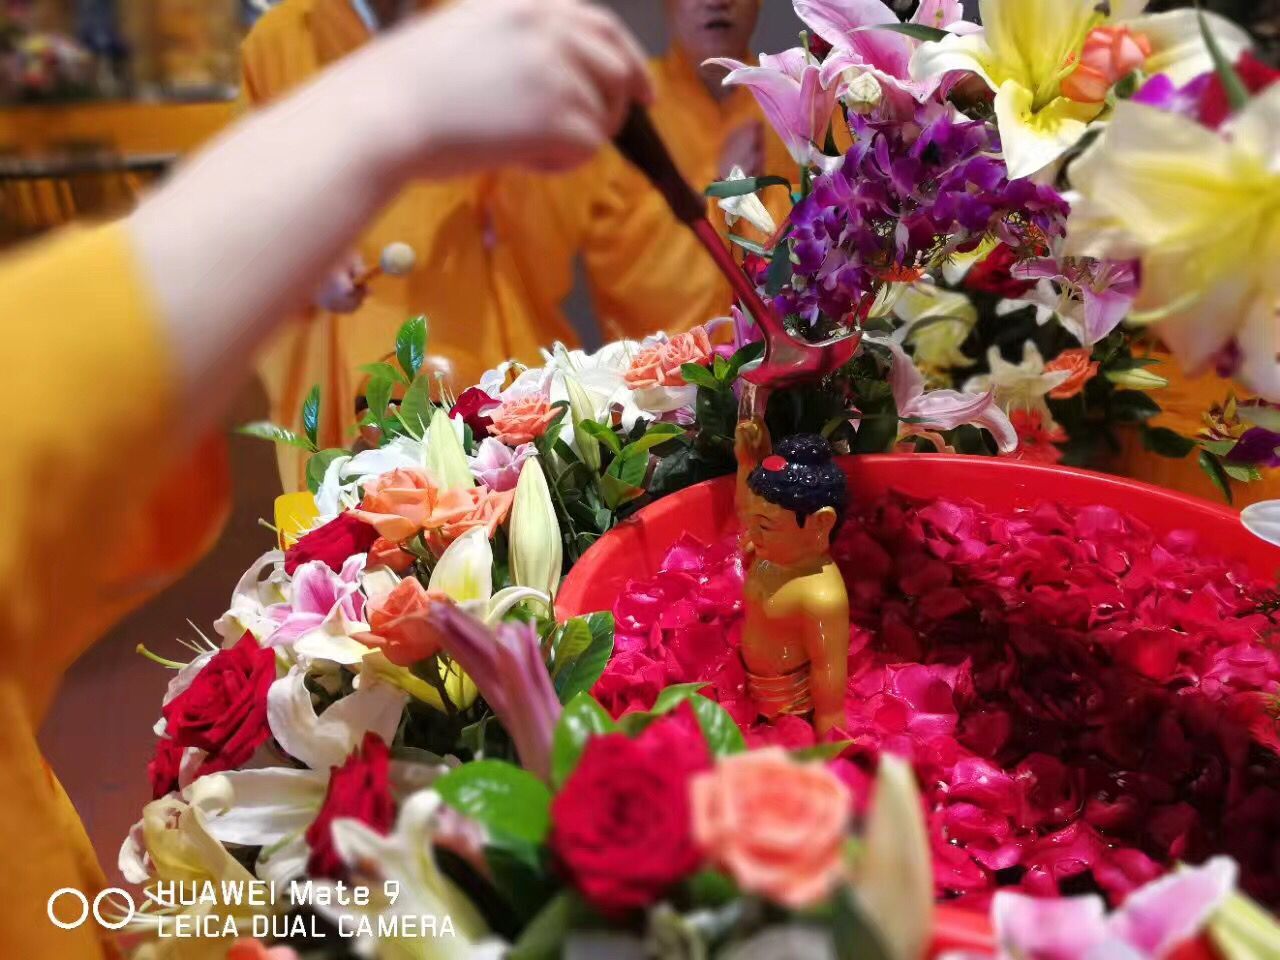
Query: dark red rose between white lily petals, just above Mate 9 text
{"x": 359, "y": 790}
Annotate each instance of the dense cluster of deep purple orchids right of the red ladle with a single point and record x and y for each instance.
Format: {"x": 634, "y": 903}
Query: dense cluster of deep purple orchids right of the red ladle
{"x": 908, "y": 195}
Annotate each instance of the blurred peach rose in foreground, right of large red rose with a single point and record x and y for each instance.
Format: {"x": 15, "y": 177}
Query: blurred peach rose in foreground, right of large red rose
{"x": 776, "y": 825}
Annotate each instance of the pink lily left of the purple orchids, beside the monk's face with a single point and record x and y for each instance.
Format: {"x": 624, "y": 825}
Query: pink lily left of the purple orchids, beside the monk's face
{"x": 792, "y": 94}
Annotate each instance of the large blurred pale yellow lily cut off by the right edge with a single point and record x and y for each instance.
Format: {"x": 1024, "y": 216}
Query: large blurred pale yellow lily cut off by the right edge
{"x": 1201, "y": 211}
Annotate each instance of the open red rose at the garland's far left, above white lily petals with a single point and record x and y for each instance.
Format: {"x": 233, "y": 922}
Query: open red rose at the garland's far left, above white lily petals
{"x": 225, "y": 710}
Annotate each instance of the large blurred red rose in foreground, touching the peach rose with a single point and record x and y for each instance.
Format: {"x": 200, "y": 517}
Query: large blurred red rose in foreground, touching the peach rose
{"x": 621, "y": 825}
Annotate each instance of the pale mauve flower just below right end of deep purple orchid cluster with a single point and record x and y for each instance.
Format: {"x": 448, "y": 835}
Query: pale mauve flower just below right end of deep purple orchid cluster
{"x": 1107, "y": 289}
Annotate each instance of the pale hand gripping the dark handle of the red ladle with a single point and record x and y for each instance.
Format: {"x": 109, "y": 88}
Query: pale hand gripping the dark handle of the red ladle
{"x": 550, "y": 88}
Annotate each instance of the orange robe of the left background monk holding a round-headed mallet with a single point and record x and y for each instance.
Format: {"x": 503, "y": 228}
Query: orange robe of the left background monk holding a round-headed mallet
{"x": 474, "y": 298}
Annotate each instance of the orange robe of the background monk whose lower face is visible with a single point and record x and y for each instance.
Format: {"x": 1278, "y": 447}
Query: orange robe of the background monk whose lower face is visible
{"x": 646, "y": 271}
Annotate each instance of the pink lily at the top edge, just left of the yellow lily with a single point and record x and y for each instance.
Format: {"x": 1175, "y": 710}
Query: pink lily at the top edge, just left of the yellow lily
{"x": 860, "y": 47}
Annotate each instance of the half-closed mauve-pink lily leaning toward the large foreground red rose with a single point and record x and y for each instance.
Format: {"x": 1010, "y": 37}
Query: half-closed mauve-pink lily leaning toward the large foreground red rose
{"x": 511, "y": 675}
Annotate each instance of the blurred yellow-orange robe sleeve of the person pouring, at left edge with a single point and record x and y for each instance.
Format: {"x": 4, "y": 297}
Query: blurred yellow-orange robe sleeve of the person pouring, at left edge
{"x": 93, "y": 520}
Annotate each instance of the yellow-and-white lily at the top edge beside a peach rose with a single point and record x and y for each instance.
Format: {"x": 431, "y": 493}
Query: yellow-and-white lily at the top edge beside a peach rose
{"x": 1027, "y": 49}
